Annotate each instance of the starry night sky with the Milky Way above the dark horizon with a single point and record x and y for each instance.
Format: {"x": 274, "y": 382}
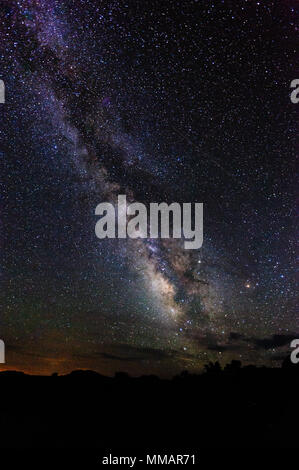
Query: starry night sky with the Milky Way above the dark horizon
{"x": 185, "y": 101}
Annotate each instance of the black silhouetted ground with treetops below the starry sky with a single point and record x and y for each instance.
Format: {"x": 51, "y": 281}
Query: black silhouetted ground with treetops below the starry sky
{"x": 238, "y": 407}
